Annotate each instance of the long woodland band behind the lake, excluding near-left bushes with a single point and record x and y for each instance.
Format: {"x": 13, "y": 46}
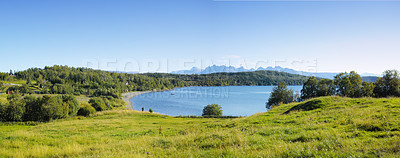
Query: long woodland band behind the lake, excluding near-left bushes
{"x": 77, "y": 81}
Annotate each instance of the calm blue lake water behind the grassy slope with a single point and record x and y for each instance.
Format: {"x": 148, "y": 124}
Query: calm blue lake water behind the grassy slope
{"x": 234, "y": 100}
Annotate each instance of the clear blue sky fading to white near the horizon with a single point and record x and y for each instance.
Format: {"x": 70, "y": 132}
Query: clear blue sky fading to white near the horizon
{"x": 166, "y": 35}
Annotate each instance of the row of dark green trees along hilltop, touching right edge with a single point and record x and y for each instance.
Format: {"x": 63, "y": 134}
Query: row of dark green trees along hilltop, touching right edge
{"x": 351, "y": 85}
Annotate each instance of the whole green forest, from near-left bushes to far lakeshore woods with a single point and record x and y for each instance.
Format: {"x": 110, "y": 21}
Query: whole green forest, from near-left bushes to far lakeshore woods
{"x": 51, "y": 93}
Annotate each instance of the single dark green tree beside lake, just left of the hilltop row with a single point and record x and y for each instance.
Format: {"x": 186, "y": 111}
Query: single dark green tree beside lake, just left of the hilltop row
{"x": 280, "y": 95}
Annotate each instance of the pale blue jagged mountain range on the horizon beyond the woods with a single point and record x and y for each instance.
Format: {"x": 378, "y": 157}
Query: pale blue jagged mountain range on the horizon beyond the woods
{"x": 222, "y": 68}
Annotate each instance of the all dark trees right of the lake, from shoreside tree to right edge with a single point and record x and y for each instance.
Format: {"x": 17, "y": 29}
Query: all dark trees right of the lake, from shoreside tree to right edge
{"x": 344, "y": 84}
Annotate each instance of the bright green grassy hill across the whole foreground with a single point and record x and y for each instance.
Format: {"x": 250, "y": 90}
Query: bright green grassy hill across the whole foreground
{"x": 321, "y": 127}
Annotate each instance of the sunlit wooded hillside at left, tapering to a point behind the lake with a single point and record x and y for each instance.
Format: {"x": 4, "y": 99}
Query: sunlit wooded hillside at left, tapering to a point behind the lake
{"x": 84, "y": 81}
